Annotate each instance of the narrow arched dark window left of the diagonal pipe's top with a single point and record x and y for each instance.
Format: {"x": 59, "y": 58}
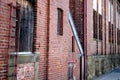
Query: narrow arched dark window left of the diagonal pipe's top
{"x": 59, "y": 21}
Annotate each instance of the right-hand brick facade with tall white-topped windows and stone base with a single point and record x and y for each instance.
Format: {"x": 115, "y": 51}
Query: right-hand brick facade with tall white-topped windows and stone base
{"x": 102, "y": 47}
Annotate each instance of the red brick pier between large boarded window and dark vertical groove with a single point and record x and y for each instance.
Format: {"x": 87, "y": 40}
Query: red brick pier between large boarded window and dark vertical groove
{"x": 40, "y": 37}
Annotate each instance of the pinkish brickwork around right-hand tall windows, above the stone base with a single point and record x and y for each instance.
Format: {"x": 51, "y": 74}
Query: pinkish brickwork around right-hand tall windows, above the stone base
{"x": 92, "y": 45}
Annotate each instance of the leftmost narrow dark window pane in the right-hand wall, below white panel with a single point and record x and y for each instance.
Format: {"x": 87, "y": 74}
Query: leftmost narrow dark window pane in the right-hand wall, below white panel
{"x": 95, "y": 29}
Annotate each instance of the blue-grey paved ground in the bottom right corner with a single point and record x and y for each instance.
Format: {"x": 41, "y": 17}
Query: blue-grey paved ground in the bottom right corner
{"x": 113, "y": 75}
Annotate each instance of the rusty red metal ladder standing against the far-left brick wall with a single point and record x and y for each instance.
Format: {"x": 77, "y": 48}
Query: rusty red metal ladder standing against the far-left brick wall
{"x": 14, "y": 16}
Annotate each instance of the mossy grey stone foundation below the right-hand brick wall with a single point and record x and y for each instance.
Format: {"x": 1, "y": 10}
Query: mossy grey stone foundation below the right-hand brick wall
{"x": 98, "y": 65}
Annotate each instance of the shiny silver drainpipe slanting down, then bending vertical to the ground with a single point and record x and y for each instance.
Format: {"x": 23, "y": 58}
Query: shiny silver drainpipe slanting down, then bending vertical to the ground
{"x": 78, "y": 42}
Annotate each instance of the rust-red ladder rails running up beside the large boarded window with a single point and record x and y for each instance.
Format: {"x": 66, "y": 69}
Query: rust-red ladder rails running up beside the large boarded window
{"x": 17, "y": 38}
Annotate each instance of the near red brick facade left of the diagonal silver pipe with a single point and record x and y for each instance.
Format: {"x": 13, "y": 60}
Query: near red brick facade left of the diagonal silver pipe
{"x": 55, "y": 50}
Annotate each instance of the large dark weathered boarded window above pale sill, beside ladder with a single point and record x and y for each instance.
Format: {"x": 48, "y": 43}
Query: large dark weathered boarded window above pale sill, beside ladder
{"x": 26, "y": 26}
